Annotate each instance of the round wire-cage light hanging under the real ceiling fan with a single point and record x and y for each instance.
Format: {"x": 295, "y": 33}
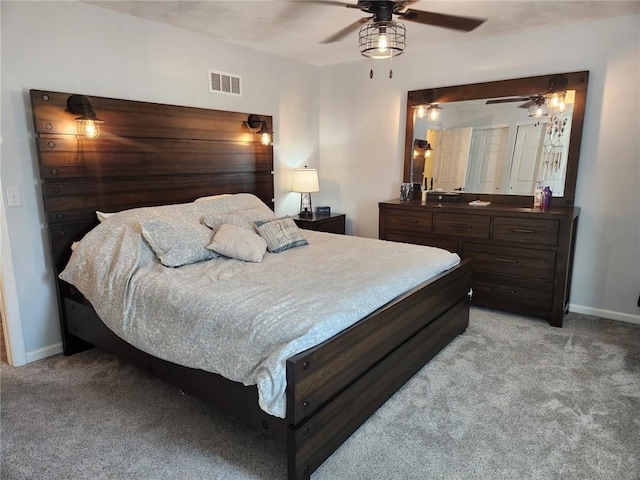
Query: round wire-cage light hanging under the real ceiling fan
{"x": 382, "y": 39}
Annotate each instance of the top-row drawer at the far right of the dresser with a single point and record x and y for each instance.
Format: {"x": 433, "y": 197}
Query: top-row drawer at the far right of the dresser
{"x": 525, "y": 230}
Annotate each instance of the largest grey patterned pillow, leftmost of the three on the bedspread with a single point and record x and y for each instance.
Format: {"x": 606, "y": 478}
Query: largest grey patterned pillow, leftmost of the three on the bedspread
{"x": 178, "y": 243}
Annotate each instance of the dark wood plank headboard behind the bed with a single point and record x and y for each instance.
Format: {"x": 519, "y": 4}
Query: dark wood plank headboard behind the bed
{"x": 147, "y": 154}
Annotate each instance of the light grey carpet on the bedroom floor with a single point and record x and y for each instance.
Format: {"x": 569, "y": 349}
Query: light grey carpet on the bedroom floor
{"x": 511, "y": 398}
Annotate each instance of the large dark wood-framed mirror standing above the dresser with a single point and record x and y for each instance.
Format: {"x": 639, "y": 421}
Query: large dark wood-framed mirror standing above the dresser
{"x": 498, "y": 139}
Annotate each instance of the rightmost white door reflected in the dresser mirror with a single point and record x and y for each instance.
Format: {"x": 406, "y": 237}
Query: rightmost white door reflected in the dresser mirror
{"x": 526, "y": 158}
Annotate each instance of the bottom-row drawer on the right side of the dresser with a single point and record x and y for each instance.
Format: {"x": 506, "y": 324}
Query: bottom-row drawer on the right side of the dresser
{"x": 531, "y": 297}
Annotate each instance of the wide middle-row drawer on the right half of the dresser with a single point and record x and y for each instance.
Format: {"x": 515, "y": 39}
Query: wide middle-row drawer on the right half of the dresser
{"x": 522, "y": 262}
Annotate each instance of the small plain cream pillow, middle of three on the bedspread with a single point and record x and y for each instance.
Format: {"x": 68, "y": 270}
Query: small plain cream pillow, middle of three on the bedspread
{"x": 236, "y": 242}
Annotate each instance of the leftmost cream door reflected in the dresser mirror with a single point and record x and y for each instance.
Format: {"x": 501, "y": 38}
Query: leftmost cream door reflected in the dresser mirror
{"x": 452, "y": 155}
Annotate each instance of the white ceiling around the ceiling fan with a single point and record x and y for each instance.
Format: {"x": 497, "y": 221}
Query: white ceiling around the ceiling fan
{"x": 294, "y": 29}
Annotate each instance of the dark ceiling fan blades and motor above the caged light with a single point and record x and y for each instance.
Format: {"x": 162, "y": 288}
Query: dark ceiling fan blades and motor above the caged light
{"x": 383, "y": 11}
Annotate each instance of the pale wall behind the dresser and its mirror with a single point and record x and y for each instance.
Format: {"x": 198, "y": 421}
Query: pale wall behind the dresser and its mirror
{"x": 362, "y": 139}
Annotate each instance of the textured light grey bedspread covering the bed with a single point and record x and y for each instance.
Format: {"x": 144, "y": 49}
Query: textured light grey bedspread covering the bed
{"x": 239, "y": 319}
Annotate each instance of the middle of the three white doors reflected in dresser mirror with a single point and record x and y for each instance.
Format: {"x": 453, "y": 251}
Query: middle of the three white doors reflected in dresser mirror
{"x": 486, "y": 159}
